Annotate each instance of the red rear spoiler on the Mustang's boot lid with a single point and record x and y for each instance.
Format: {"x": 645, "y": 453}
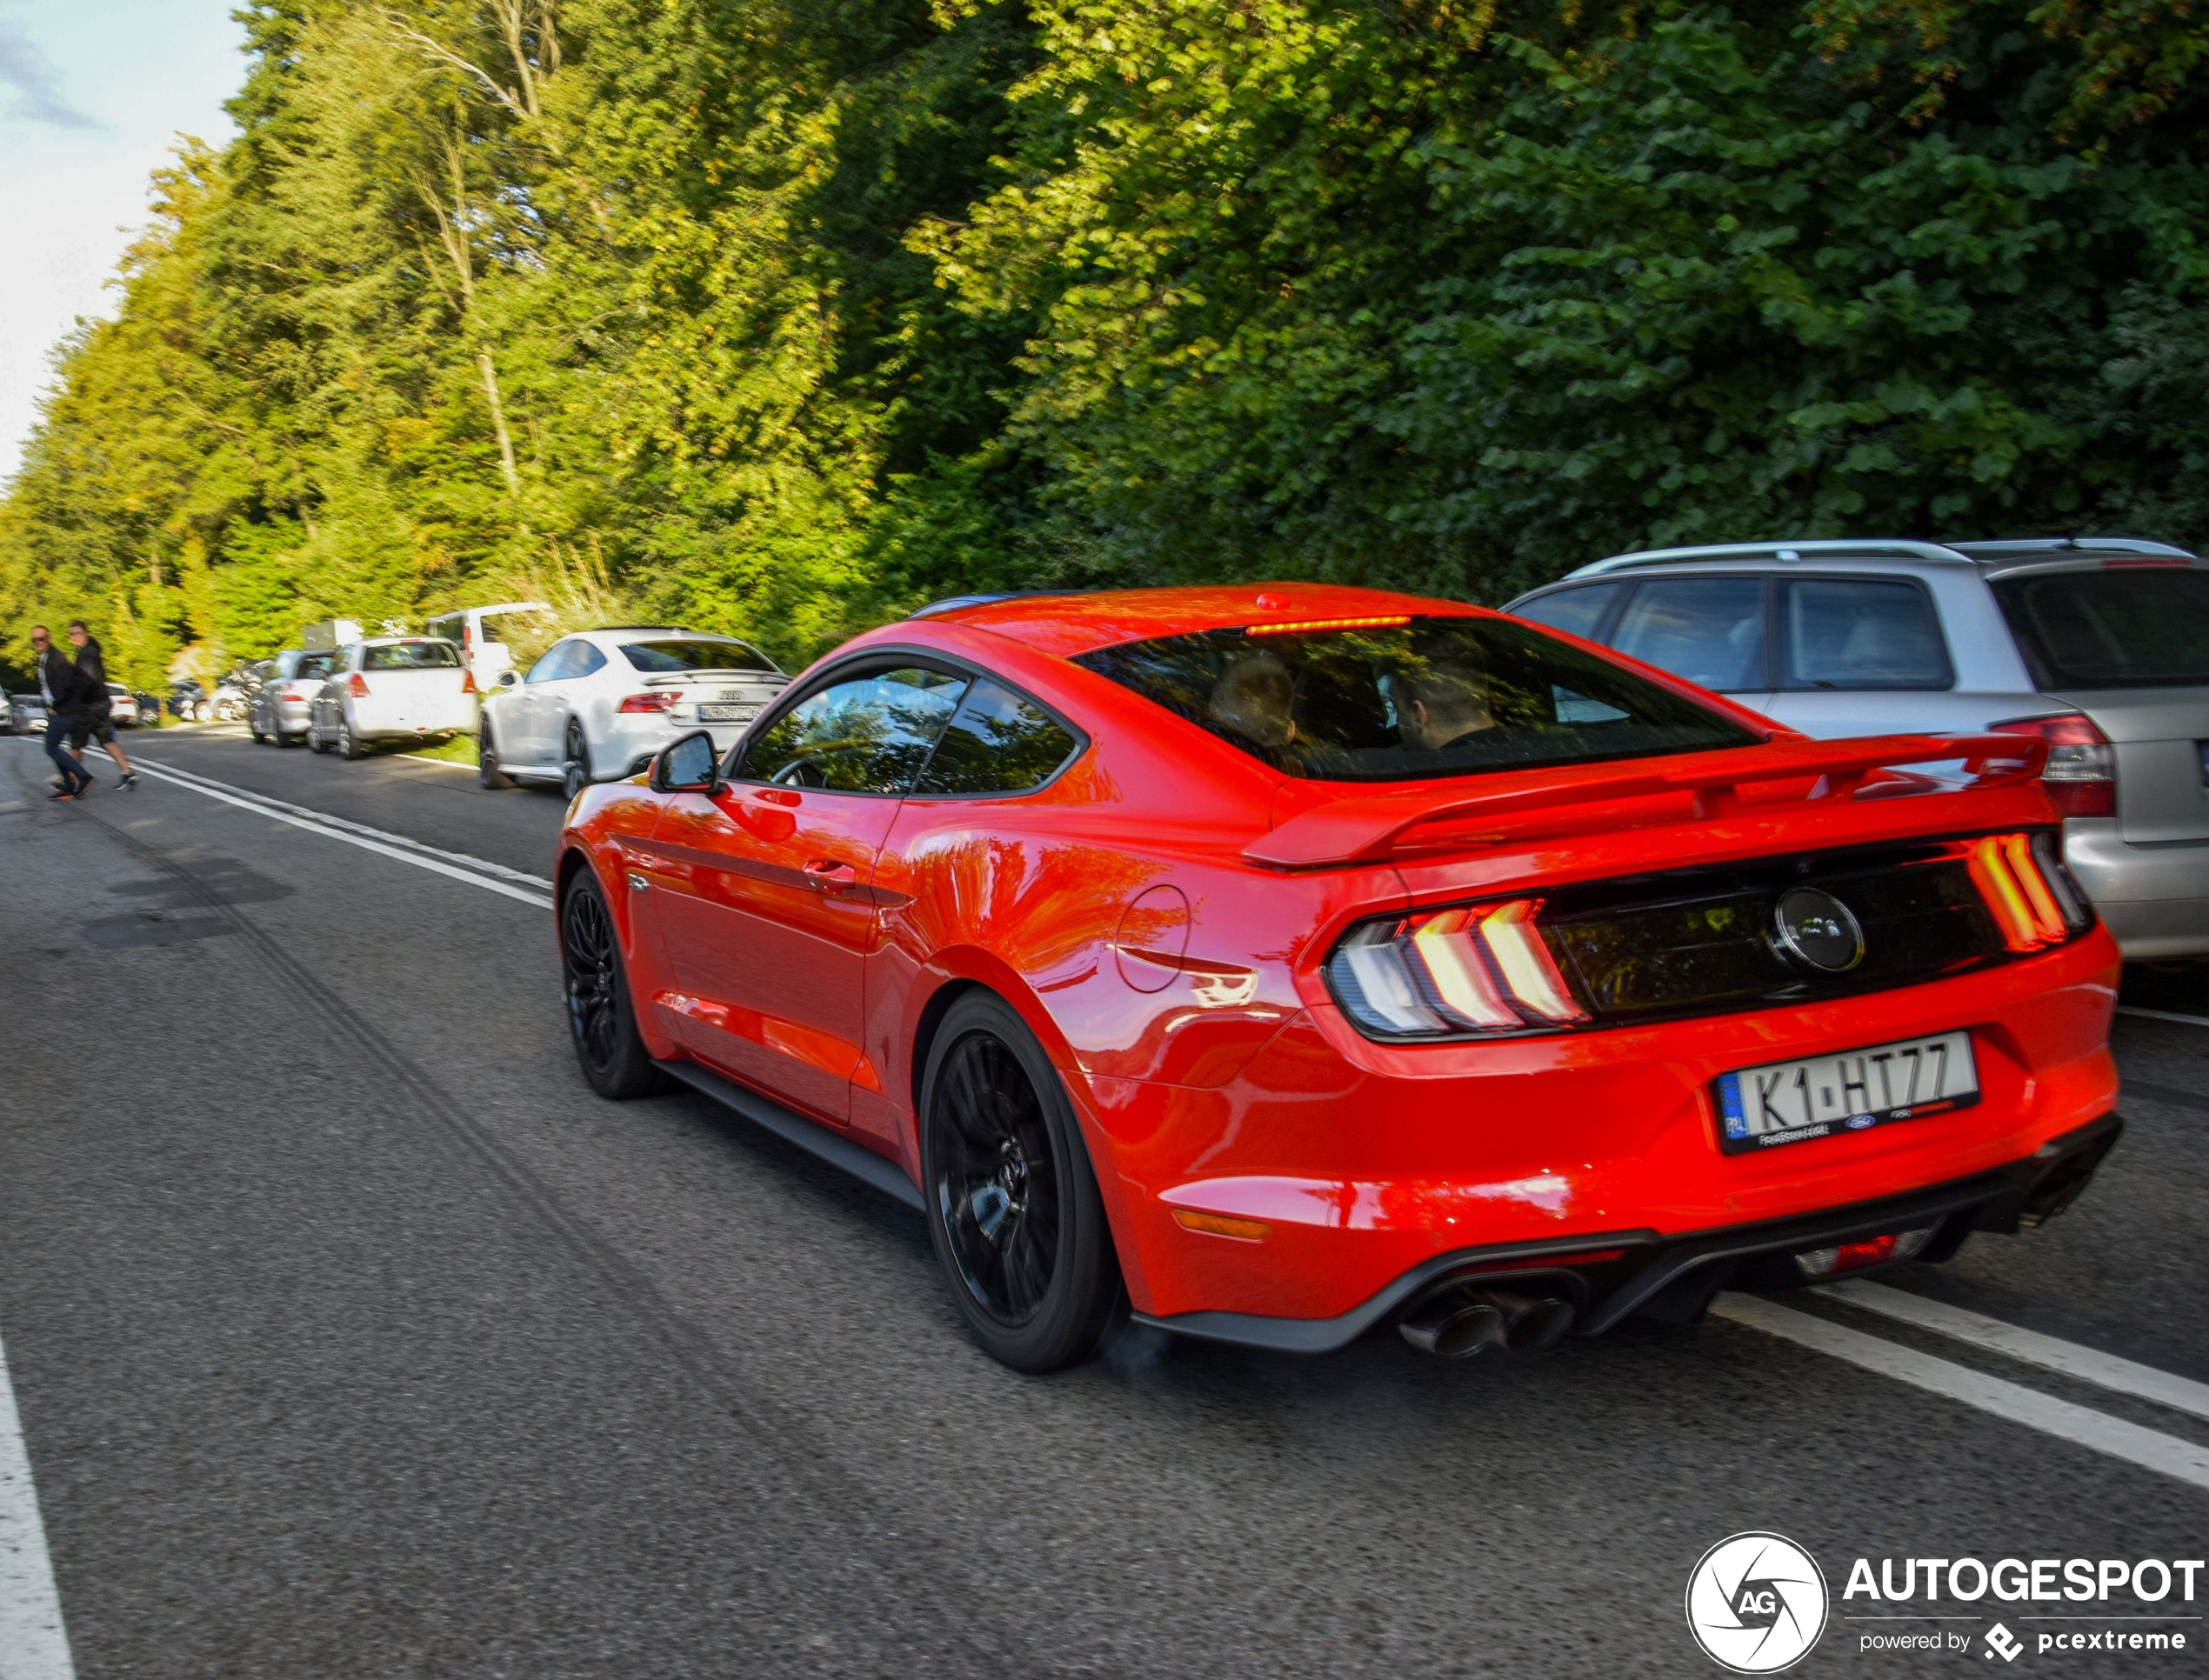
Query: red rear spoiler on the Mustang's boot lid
{"x": 1368, "y": 829}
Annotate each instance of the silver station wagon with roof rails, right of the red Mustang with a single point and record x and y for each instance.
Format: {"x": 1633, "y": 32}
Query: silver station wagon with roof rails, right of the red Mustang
{"x": 2097, "y": 646}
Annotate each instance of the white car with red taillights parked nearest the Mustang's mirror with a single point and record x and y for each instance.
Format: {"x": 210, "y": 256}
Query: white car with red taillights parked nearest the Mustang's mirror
{"x": 602, "y": 703}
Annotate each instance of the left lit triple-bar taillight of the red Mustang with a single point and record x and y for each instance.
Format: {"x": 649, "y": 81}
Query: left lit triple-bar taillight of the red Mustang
{"x": 1448, "y": 972}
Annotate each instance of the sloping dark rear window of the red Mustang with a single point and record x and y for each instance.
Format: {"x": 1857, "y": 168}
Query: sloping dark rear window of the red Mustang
{"x": 1424, "y": 699}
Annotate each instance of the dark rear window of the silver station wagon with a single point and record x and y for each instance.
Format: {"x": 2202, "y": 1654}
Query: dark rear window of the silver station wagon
{"x": 2111, "y": 630}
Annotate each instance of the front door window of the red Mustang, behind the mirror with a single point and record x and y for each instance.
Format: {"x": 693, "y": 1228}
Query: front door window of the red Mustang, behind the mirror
{"x": 863, "y": 734}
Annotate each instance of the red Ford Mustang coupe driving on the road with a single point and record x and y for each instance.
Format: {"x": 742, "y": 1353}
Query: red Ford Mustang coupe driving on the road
{"x": 1309, "y": 959}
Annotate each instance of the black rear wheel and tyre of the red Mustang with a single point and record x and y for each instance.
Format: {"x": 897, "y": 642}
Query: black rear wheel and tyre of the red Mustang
{"x": 1013, "y": 1202}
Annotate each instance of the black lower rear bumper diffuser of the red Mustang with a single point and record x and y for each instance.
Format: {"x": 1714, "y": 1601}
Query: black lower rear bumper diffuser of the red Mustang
{"x": 1651, "y": 1268}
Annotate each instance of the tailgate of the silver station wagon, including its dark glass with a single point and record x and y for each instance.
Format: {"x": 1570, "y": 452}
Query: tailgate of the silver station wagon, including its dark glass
{"x": 2126, "y": 641}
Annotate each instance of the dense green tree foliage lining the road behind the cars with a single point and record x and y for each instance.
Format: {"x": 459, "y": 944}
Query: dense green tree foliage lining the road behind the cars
{"x": 781, "y": 317}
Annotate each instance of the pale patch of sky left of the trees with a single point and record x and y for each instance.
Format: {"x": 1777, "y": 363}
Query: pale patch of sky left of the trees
{"x": 92, "y": 98}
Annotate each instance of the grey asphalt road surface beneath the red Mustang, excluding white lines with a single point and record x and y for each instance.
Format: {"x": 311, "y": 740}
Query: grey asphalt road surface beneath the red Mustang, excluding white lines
{"x": 352, "y": 1337}
